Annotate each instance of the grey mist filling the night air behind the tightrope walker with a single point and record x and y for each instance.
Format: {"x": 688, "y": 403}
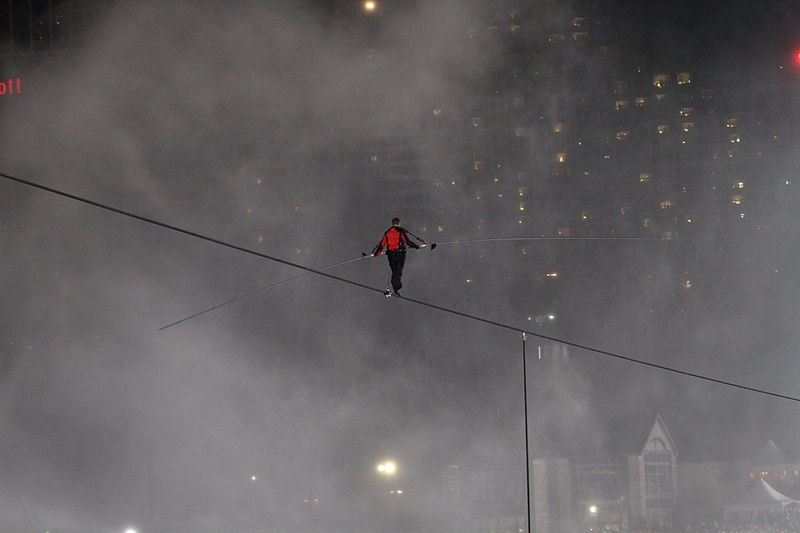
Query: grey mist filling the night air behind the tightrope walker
{"x": 257, "y": 123}
